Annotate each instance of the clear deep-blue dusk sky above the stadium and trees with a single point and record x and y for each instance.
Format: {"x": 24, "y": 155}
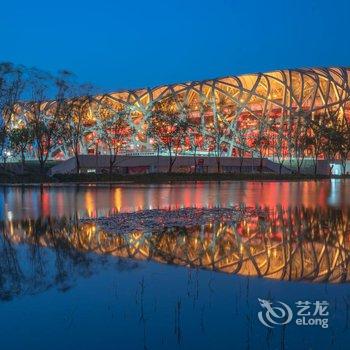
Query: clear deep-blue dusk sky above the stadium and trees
{"x": 130, "y": 44}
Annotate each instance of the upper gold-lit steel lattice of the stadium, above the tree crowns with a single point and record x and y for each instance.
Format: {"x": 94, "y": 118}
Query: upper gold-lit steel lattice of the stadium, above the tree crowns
{"x": 235, "y": 101}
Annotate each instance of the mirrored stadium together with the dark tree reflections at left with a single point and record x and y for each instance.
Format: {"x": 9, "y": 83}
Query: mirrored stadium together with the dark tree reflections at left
{"x": 294, "y": 244}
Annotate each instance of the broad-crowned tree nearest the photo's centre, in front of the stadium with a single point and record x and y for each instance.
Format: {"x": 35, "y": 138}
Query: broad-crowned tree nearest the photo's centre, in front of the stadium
{"x": 168, "y": 128}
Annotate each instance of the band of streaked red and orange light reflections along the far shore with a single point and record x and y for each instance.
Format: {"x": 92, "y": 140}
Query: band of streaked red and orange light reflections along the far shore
{"x": 93, "y": 201}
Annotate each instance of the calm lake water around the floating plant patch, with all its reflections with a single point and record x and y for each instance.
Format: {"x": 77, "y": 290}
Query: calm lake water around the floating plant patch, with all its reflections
{"x": 64, "y": 284}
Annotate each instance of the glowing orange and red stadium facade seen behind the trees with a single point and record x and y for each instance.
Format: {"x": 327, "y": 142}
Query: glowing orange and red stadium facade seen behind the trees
{"x": 234, "y": 111}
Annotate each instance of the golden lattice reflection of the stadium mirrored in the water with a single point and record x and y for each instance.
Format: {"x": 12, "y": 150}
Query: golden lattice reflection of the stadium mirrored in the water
{"x": 295, "y": 244}
